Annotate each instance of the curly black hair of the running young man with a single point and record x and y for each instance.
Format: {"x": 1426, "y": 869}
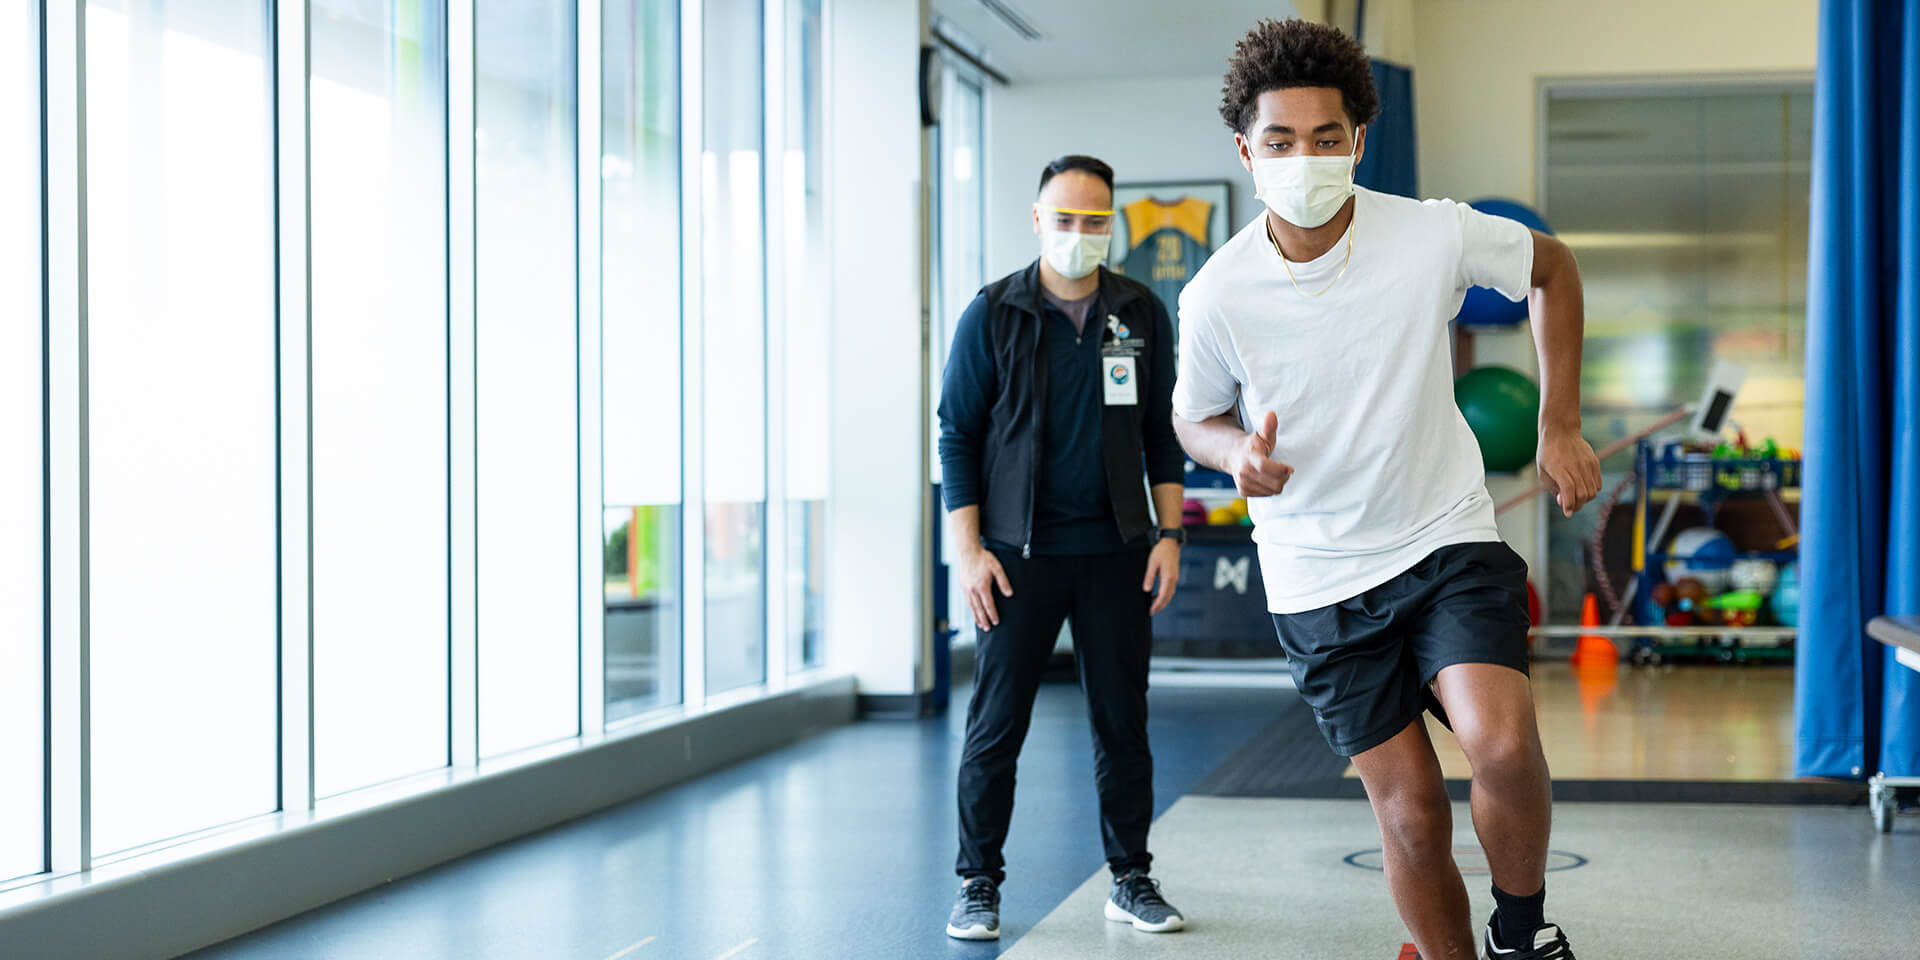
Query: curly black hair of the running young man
{"x": 1297, "y": 53}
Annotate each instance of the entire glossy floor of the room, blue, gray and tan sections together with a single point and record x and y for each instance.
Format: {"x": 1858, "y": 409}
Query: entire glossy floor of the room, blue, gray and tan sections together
{"x": 842, "y": 848}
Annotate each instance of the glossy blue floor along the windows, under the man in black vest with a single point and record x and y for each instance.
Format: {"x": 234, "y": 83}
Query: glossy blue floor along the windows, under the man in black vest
{"x": 840, "y": 848}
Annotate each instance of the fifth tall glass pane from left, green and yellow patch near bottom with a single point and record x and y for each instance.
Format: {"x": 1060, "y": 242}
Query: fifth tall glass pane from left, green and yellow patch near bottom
{"x": 640, "y": 352}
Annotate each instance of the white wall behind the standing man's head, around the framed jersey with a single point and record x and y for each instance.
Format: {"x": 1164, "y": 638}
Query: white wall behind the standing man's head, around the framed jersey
{"x": 1151, "y": 130}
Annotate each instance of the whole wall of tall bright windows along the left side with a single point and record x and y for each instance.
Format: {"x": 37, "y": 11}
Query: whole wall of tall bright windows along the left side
{"x": 245, "y": 396}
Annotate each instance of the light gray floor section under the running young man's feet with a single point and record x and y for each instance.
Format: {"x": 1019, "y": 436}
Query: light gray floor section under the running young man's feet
{"x": 1270, "y": 878}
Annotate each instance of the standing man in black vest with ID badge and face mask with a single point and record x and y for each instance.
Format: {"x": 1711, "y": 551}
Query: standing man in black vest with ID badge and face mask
{"x": 1059, "y": 395}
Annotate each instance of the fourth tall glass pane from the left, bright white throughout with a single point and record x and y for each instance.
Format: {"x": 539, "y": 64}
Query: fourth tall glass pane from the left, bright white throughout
{"x": 529, "y": 391}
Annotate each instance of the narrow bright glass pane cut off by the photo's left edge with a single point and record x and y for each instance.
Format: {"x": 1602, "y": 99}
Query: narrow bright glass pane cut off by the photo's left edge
{"x": 22, "y": 487}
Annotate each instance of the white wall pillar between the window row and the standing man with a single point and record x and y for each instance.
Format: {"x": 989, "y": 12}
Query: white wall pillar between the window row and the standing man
{"x": 878, "y": 512}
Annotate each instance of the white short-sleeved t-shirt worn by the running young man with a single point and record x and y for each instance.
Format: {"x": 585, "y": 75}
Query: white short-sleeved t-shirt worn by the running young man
{"x": 1362, "y": 381}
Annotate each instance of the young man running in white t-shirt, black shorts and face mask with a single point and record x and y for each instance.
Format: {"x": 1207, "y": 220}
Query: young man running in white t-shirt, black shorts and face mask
{"x": 1314, "y": 368}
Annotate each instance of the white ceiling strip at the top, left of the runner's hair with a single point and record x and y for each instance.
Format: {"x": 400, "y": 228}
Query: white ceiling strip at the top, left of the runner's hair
{"x": 1111, "y": 39}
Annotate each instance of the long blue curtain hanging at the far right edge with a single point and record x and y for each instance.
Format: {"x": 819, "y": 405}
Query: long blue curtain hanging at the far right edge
{"x": 1858, "y": 711}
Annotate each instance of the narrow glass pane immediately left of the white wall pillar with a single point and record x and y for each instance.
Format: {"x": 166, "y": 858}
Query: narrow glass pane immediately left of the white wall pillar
{"x": 804, "y": 245}
